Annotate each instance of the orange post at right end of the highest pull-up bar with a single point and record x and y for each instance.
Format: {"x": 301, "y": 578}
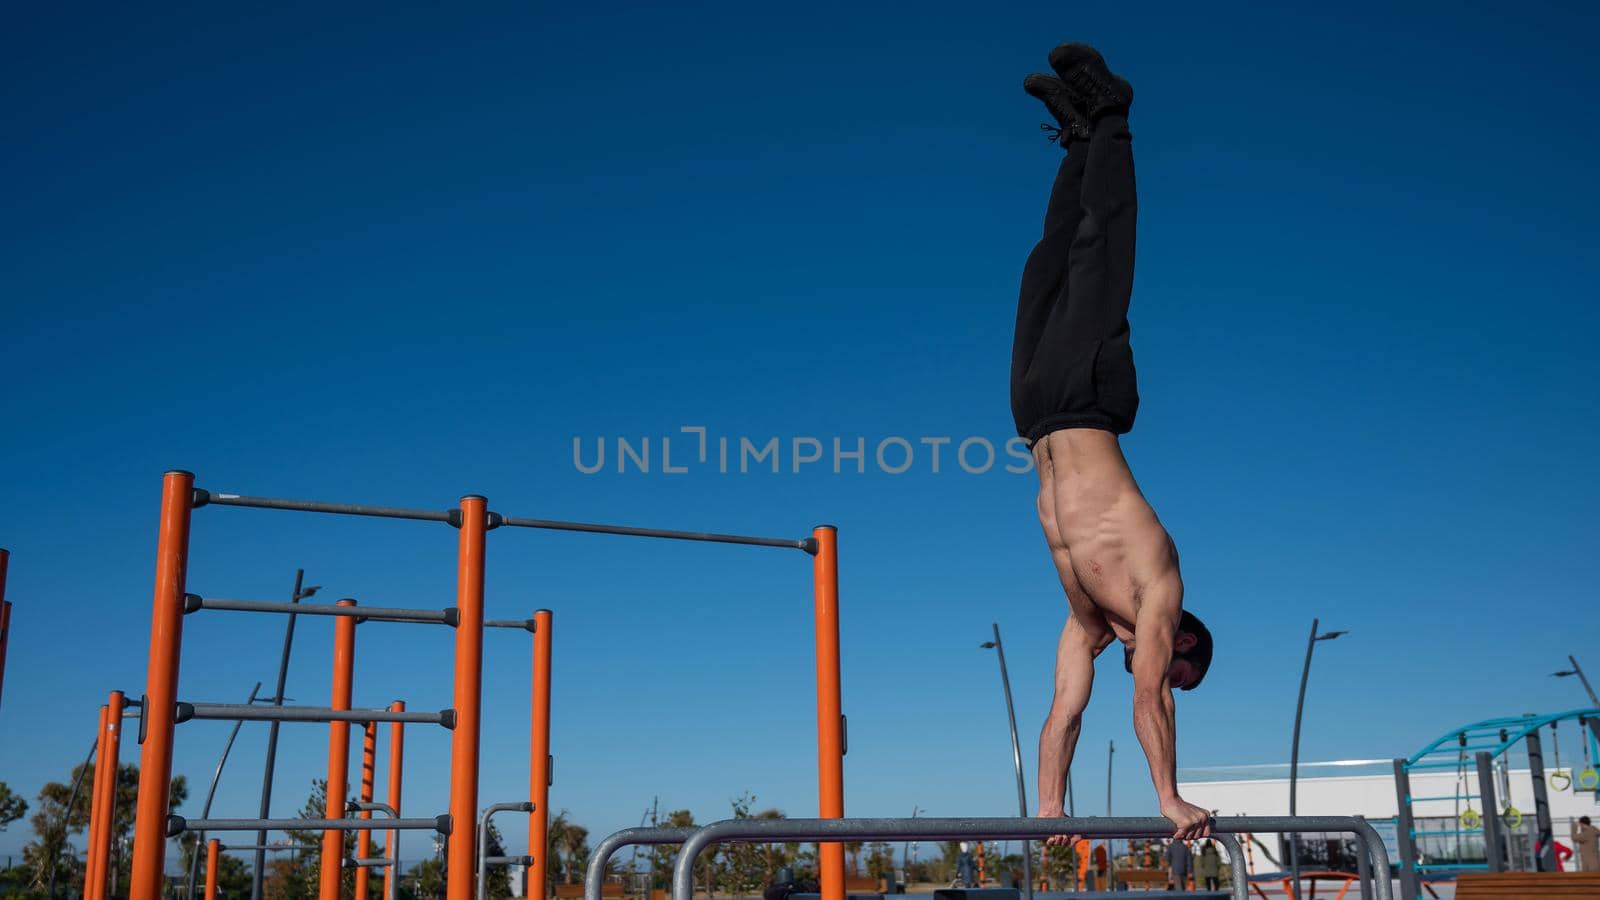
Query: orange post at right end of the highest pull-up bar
{"x": 830, "y": 713}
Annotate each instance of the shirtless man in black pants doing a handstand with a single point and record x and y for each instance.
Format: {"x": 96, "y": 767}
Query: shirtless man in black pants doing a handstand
{"x": 1073, "y": 393}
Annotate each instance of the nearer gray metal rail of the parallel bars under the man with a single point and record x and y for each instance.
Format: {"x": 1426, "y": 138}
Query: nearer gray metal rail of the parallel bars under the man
{"x": 836, "y": 830}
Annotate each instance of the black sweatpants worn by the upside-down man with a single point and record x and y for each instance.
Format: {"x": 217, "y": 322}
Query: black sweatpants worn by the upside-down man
{"x": 1071, "y": 360}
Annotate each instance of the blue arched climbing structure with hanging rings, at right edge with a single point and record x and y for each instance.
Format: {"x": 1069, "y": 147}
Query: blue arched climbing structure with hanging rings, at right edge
{"x": 1482, "y": 747}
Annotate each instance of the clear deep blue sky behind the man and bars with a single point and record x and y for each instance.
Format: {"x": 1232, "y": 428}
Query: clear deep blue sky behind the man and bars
{"x": 399, "y": 254}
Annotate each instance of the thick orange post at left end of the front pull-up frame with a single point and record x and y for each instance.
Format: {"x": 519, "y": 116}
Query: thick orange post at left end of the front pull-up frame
{"x": 161, "y": 688}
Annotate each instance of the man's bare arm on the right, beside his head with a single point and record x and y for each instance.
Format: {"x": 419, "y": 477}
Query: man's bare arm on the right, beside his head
{"x": 1154, "y": 718}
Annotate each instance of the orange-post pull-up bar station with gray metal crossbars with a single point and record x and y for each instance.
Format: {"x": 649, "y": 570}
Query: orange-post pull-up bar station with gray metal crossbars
{"x": 473, "y": 521}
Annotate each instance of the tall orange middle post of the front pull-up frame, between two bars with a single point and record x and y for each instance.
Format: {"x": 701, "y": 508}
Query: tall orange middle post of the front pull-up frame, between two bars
{"x": 470, "y": 697}
